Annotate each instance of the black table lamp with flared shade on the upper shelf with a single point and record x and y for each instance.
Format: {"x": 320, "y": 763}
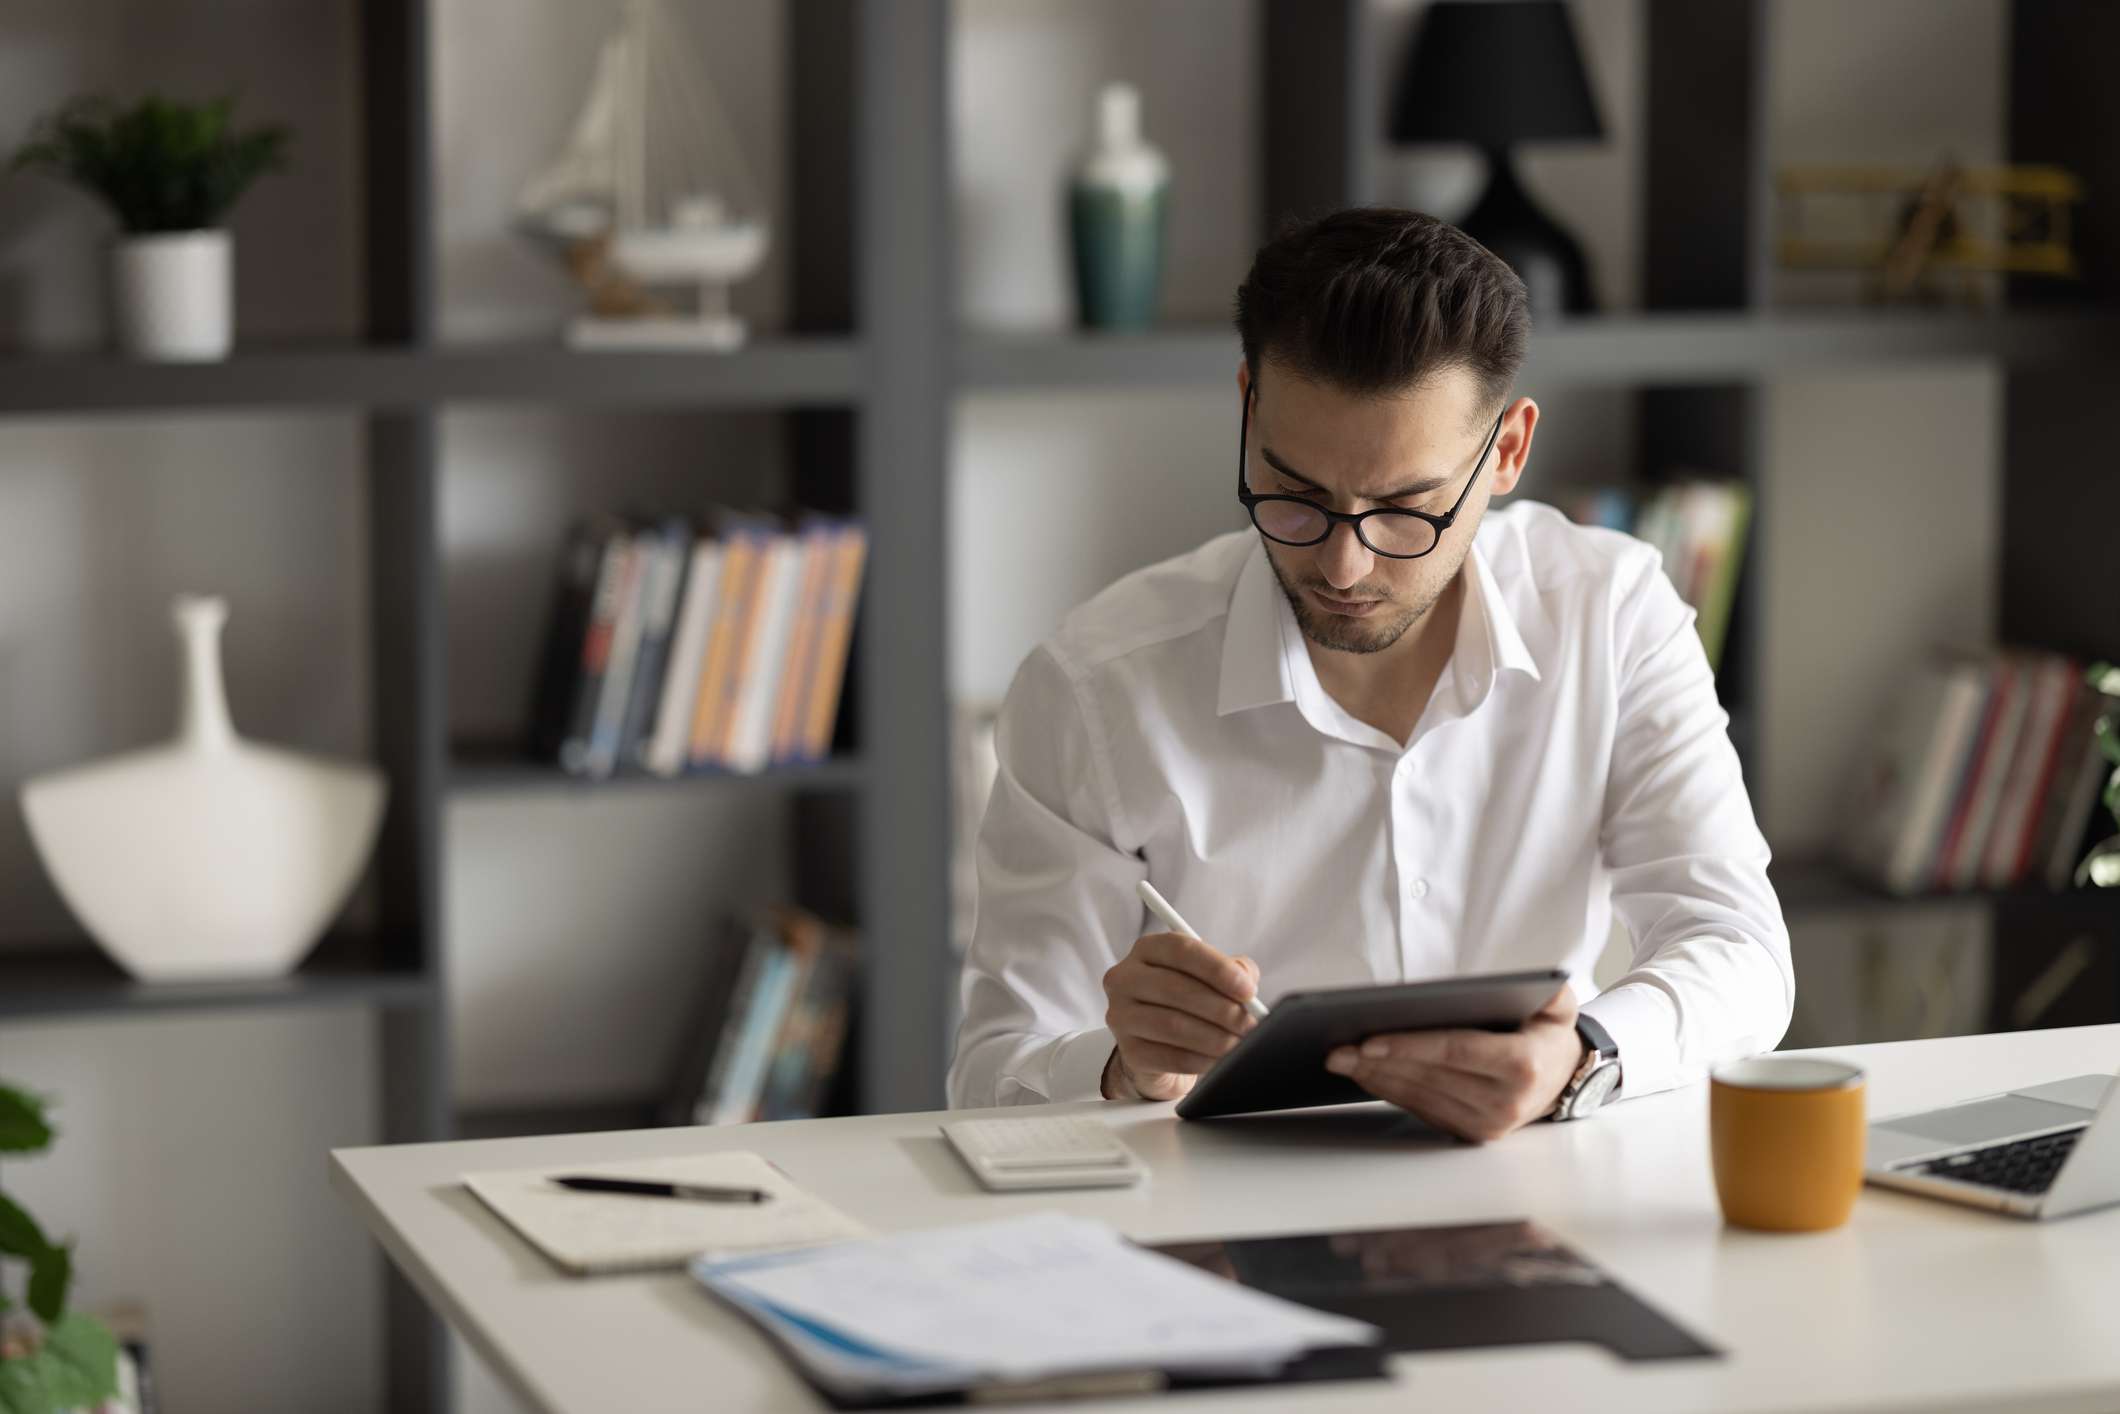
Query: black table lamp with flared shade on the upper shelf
{"x": 1498, "y": 73}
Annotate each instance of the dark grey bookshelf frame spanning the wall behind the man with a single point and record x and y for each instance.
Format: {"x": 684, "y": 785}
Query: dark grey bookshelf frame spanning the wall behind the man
{"x": 868, "y": 381}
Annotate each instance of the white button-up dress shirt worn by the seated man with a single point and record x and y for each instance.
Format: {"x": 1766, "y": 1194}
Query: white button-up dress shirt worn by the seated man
{"x": 1572, "y": 766}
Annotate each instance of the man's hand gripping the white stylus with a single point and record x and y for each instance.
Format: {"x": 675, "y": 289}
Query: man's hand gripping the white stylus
{"x": 1176, "y": 1008}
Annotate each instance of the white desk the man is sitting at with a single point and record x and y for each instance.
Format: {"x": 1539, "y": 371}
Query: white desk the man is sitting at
{"x": 1913, "y": 1305}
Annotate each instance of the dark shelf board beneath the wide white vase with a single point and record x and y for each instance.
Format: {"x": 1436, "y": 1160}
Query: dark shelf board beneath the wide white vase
{"x": 71, "y": 980}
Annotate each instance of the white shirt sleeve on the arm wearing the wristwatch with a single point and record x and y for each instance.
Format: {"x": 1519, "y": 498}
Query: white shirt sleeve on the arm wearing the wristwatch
{"x": 1712, "y": 974}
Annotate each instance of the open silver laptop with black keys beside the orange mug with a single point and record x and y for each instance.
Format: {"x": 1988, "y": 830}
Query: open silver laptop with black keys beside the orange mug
{"x": 2043, "y": 1152}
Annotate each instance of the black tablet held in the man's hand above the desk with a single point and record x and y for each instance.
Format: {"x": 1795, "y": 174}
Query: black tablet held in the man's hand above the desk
{"x": 1282, "y": 1063}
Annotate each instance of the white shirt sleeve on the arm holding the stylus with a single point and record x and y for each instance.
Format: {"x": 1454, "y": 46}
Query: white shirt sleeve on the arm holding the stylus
{"x": 1057, "y": 904}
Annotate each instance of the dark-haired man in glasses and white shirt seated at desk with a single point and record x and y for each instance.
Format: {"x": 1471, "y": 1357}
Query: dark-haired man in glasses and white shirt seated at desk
{"x": 1377, "y": 737}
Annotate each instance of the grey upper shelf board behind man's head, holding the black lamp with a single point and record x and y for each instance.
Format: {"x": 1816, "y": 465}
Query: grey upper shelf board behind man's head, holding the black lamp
{"x": 1623, "y": 349}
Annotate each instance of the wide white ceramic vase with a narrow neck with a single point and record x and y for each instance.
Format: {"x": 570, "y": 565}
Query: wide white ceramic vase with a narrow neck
{"x": 207, "y": 858}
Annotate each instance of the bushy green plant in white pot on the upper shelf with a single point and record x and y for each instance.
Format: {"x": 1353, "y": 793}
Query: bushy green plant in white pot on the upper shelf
{"x": 171, "y": 175}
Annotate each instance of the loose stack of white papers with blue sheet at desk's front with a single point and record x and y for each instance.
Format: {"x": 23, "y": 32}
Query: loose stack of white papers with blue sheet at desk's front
{"x": 1012, "y": 1303}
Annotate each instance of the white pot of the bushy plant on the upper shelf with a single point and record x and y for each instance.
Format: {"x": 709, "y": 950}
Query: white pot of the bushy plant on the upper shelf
{"x": 173, "y": 296}
